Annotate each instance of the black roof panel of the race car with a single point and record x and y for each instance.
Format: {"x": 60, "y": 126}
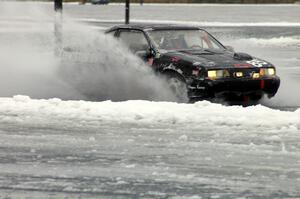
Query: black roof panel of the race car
{"x": 153, "y": 27}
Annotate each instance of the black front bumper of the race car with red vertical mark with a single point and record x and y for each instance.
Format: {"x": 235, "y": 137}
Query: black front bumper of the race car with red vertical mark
{"x": 238, "y": 87}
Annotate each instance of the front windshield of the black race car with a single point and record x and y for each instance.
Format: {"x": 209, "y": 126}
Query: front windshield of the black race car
{"x": 183, "y": 40}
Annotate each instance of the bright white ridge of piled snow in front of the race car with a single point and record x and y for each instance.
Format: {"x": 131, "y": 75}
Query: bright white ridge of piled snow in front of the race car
{"x": 201, "y": 114}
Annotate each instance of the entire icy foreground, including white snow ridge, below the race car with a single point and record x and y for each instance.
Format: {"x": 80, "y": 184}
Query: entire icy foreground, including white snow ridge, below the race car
{"x": 142, "y": 149}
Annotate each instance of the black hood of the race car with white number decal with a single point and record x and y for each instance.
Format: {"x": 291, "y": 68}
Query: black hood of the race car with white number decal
{"x": 216, "y": 58}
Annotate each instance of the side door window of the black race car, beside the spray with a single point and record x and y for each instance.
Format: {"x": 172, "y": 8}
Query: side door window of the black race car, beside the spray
{"x": 134, "y": 40}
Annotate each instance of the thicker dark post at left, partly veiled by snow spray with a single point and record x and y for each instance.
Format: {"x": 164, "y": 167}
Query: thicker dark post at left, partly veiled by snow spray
{"x": 58, "y": 26}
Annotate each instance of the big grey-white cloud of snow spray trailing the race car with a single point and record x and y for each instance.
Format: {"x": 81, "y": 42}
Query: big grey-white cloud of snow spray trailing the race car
{"x": 91, "y": 66}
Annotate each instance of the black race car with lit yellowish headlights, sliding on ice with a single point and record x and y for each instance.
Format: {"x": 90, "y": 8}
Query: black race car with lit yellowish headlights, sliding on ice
{"x": 198, "y": 65}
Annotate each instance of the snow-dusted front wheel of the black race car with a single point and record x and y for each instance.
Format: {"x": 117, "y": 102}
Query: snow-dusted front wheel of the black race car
{"x": 178, "y": 86}
